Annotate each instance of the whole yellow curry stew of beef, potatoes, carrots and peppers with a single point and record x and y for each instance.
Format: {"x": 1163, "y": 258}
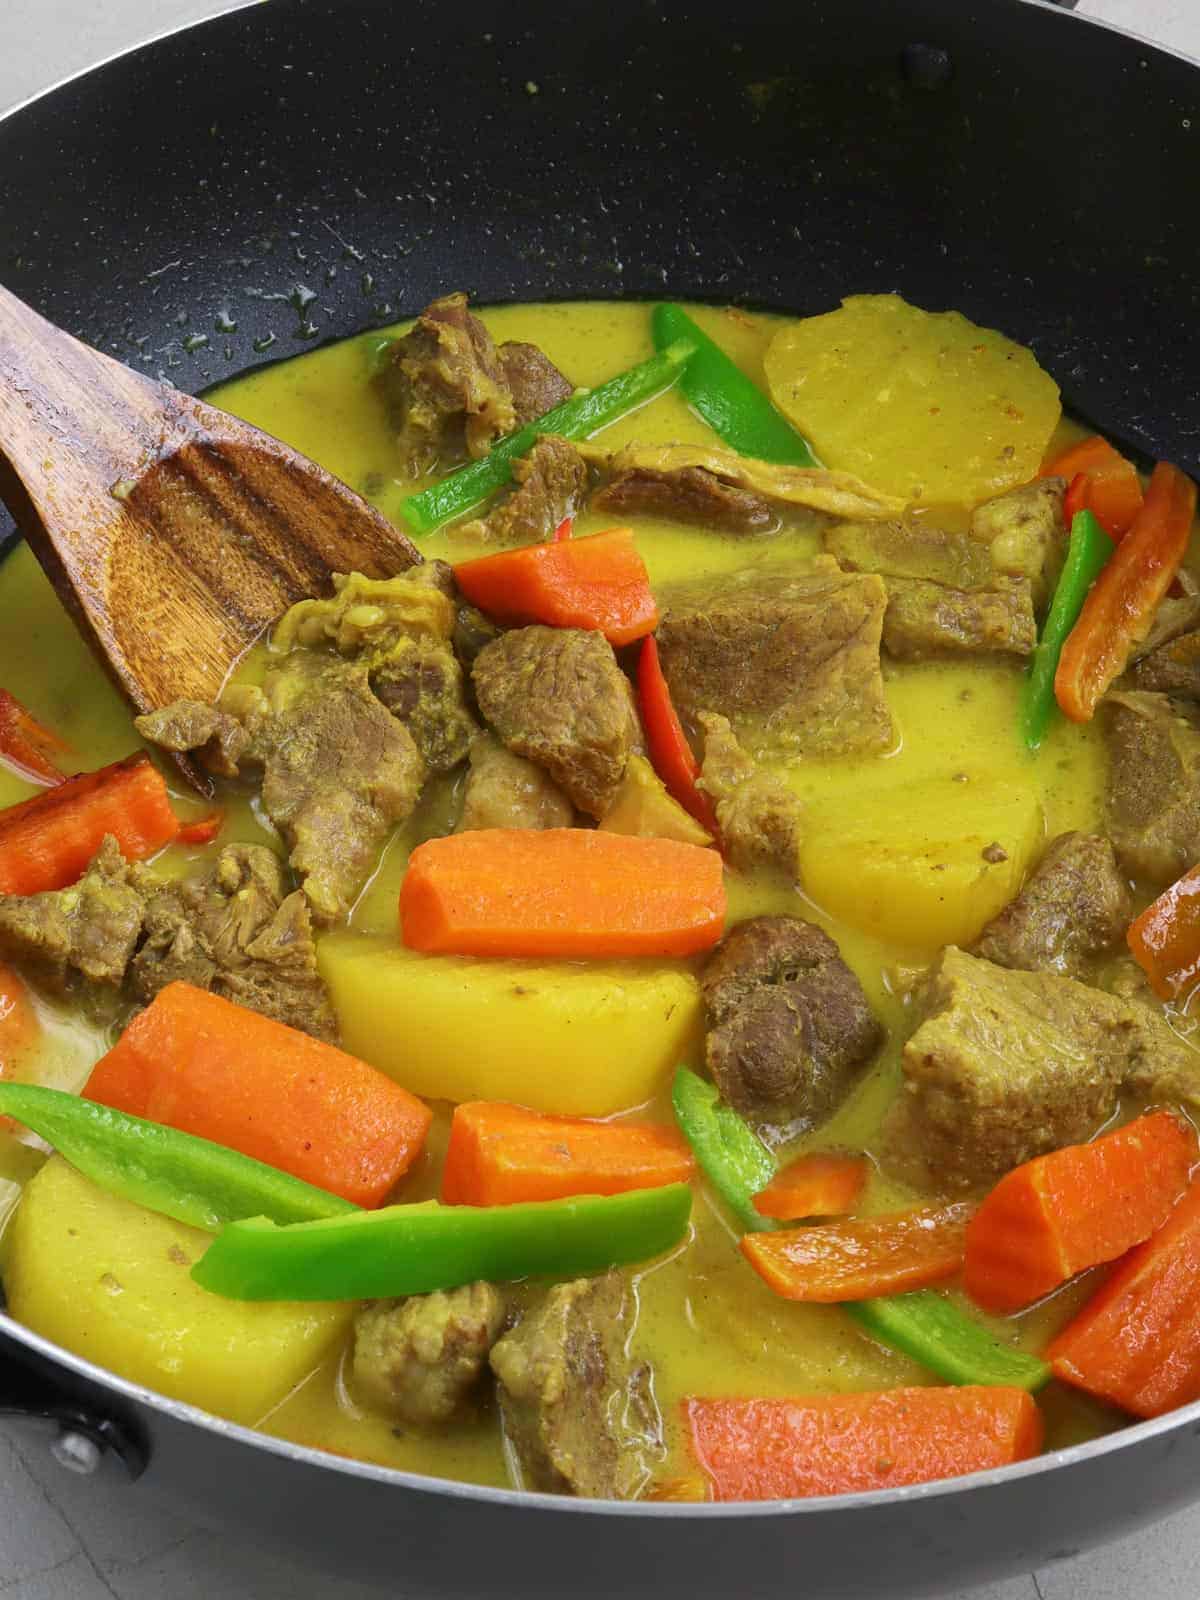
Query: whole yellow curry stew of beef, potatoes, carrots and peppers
{"x": 682, "y": 994}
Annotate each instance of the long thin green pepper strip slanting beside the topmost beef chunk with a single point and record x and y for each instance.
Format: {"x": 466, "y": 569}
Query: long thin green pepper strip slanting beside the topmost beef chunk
{"x": 585, "y": 414}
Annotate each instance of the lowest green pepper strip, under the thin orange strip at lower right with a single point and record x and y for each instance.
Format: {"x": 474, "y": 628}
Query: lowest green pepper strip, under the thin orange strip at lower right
{"x": 934, "y": 1332}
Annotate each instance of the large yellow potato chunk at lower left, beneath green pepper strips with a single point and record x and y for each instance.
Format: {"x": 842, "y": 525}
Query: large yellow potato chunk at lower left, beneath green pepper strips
{"x": 111, "y": 1282}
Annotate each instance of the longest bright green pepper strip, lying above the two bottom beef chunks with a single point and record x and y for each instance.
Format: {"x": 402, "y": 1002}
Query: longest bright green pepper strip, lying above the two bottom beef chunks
{"x": 420, "y": 1249}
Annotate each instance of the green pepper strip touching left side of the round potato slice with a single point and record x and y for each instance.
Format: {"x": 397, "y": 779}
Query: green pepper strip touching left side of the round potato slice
{"x": 734, "y": 407}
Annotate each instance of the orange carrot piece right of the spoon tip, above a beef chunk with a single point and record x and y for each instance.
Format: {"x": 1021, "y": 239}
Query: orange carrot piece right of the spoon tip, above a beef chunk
{"x": 599, "y": 583}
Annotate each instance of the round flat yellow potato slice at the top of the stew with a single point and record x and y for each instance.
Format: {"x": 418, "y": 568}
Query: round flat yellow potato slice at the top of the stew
{"x": 921, "y": 404}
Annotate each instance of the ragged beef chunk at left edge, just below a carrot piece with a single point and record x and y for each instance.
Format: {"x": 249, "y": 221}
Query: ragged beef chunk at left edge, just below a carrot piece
{"x": 82, "y": 934}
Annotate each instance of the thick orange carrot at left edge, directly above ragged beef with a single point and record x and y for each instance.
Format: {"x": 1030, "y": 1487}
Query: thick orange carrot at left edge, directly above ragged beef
{"x": 47, "y": 842}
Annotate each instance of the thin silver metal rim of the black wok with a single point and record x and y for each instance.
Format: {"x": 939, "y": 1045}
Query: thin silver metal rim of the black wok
{"x": 182, "y": 1412}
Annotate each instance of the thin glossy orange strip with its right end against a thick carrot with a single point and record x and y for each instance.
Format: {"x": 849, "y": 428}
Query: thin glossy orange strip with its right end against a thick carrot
{"x": 876, "y": 1255}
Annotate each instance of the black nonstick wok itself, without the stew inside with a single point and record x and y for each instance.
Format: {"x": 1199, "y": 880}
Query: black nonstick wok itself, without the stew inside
{"x": 298, "y": 172}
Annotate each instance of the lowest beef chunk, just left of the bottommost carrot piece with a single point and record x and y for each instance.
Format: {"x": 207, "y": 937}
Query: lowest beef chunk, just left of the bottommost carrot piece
{"x": 578, "y": 1410}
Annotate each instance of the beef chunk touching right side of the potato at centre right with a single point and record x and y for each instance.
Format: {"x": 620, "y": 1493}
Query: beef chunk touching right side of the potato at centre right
{"x": 1074, "y": 906}
